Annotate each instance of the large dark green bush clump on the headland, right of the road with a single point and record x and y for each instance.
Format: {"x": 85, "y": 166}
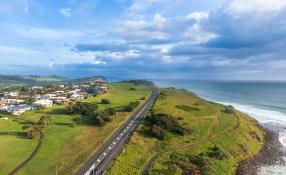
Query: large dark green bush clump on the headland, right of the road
{"x": 158, "y": 124}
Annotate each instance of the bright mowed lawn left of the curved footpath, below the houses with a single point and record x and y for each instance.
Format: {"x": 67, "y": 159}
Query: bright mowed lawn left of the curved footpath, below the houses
{"x": 14, "y": 147}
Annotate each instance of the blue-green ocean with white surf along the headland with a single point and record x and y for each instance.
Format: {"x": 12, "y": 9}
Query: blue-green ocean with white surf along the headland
{"x": 264, "y": 101}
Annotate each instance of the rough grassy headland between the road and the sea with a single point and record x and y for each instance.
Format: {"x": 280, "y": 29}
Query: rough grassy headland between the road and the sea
{"x": 236, "y": 135}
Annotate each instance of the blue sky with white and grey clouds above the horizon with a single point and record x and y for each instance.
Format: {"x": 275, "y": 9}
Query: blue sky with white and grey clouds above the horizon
{"x": 153, "y": 39}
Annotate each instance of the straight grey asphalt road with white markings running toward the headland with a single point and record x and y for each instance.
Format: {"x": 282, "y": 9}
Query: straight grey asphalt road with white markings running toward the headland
{"x": 99, "y": 162}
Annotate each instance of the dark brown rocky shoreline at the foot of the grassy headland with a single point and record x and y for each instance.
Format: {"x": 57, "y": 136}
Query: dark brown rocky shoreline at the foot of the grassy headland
{"x": 272, "y": 153}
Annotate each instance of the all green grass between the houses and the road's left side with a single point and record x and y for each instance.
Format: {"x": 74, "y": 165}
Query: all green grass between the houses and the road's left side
{"x": 65, "y": 147}
